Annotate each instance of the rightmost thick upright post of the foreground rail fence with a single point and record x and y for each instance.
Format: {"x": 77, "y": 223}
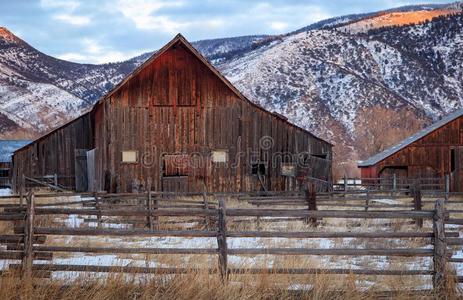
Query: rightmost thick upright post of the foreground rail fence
{"x": 440, "y": 248}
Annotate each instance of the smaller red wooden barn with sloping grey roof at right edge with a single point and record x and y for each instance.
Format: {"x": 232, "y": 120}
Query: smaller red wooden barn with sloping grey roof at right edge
{"x": 431, "y": 153}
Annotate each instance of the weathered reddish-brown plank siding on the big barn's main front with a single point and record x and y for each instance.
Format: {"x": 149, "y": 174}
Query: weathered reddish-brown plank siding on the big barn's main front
{"x": 177, "y": 104}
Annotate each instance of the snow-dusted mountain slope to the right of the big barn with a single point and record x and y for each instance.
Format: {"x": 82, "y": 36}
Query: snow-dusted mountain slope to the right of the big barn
{"x": 321, "y": 79}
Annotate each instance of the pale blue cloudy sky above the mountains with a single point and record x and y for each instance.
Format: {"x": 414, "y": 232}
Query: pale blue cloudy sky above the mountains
{"x": 96, "y": 31}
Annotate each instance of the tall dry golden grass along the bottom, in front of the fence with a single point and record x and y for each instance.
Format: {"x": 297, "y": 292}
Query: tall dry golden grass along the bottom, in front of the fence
{"x": 200, "y": 286}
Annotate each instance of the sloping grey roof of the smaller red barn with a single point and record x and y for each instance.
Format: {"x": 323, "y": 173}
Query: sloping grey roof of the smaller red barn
{"x": 411, "y": 139}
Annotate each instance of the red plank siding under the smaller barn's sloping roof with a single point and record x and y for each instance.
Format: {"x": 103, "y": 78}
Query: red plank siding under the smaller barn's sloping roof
{"x": 429, "y": 157}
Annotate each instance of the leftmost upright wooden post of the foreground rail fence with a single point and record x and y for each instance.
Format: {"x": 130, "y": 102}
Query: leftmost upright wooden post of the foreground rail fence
{"x": 28, "y": 238}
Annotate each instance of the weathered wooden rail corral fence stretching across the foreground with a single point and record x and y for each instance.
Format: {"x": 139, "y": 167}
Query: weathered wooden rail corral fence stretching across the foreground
{"x": 28, "y": 243}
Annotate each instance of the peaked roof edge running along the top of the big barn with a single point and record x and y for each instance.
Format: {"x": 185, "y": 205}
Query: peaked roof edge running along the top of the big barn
{"x": 178, "y": 38}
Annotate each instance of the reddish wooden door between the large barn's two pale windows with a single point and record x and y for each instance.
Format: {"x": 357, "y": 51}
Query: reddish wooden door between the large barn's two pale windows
{"x": 175, "y": 169}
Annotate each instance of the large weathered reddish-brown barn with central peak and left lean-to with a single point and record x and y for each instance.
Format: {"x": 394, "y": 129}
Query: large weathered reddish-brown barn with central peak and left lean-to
{"x": 178, "y": 123}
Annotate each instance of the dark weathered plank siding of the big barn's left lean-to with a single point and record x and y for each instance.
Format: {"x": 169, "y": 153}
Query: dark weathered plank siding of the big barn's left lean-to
{"x": 54, "y": 153}
